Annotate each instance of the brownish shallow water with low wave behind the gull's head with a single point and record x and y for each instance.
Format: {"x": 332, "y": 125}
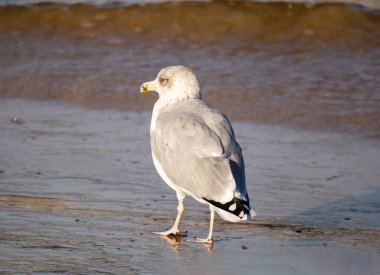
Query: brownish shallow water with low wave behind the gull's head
{"x": 309, "y": 66}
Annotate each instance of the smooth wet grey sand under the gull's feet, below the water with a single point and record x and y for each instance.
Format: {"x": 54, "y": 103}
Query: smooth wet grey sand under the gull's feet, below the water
{"x": 79, "y": 195}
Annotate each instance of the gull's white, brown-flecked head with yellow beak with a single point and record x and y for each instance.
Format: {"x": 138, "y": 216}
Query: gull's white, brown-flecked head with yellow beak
{"x": 174, "y": 84}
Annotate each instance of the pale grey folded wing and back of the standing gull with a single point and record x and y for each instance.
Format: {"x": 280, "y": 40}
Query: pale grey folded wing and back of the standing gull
{"x": 196, "y": 148}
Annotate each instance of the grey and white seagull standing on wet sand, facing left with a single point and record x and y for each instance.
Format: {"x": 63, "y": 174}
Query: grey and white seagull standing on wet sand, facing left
{"x": 194, "y": 149}
